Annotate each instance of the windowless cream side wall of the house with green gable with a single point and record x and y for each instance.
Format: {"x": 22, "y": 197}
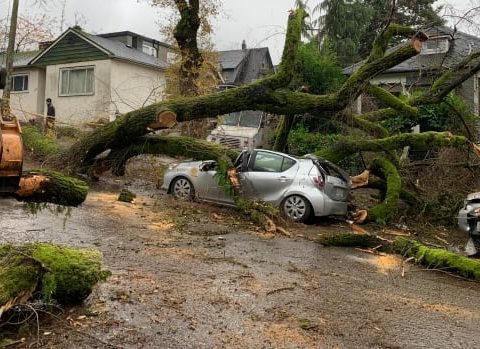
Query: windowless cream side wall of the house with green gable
{"x": 133, "y": 86}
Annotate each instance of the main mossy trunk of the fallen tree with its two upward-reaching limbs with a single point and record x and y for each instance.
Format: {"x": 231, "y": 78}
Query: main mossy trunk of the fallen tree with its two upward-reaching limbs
{"x": 267, "y": 95}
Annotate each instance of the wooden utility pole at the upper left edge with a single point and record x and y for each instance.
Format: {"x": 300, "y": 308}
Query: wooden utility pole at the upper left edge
{"x": 9, "y": 62}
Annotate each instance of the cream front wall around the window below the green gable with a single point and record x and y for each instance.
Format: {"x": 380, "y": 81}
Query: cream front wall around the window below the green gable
{"x": 78, "y": 110}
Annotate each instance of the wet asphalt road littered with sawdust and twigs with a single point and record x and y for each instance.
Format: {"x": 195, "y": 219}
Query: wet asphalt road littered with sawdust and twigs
{"x": 195, "y": 276}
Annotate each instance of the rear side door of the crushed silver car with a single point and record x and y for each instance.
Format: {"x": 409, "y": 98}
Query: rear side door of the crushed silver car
{"x": 268, "y": 175}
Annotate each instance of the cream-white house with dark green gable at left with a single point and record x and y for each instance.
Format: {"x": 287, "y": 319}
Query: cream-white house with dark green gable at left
{"x": 89, "y": 77}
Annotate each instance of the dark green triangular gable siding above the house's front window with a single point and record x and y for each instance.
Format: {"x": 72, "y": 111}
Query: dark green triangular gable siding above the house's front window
{"x": 71, "y": 49}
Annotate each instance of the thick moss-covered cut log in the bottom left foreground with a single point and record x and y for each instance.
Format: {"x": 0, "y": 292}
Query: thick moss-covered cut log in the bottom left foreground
{"x": 47, "y": 272}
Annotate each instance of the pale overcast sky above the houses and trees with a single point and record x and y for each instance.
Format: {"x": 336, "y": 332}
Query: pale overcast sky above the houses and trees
{"x": 259, "y": 22}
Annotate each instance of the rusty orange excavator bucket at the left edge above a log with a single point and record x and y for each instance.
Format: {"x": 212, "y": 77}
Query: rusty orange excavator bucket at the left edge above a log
{"x": 11, "y": 155}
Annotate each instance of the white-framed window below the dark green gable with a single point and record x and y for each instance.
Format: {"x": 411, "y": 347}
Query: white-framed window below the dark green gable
{"x": 76, "y": 81}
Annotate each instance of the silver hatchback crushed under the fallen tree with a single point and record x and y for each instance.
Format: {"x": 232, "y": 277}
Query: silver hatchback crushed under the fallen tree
{"x": 300, "y": 187}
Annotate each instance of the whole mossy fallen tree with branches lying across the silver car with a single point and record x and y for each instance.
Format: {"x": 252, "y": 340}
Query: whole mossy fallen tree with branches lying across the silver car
{"x": 126, "y": 135}
